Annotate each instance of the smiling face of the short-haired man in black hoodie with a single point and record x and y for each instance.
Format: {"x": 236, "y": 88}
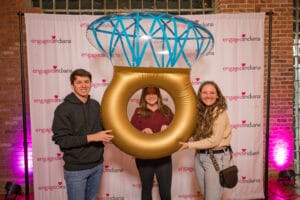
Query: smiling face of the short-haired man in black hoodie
{"x": 82, "y": 87}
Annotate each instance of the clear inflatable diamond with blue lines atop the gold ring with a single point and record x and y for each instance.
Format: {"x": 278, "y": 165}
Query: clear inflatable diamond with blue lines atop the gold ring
{"x": 149, "y": 39}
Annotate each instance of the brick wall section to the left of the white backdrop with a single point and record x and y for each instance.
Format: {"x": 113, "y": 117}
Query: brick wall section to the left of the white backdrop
{"x": 11, "y": 113}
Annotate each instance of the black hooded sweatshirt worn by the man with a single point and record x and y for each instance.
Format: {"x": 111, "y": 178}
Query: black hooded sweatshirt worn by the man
{"x": 73, "y": 121}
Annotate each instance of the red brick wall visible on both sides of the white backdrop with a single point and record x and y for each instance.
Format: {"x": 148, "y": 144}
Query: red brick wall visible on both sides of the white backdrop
{"x": 11, "y": 132}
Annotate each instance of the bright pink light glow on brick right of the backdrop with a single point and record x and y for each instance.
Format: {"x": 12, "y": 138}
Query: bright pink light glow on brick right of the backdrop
{"x": 281, "y": 149}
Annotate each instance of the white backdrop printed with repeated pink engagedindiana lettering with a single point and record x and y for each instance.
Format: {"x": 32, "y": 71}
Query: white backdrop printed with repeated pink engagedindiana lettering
{"x": 57, "y": 44}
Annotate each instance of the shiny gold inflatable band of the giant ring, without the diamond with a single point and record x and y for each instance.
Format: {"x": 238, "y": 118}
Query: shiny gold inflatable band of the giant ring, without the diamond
{"x": 126, "y": 81}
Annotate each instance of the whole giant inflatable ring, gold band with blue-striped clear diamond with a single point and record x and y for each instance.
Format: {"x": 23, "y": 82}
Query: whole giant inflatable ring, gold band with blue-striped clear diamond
{"x": 149, "y": 39}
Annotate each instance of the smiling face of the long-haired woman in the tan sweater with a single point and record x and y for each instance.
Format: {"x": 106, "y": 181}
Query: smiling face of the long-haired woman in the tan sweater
{"x": 208, "y": 94}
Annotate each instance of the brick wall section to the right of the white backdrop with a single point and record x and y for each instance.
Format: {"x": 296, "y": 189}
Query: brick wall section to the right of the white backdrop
{"x": 282, "y": 72}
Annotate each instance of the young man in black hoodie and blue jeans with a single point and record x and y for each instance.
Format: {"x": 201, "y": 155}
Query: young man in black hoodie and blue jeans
{"x": 78, "y": 131}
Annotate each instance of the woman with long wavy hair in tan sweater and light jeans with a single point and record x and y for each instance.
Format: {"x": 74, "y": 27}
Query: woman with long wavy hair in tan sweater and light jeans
{"x": 213, "y": 134}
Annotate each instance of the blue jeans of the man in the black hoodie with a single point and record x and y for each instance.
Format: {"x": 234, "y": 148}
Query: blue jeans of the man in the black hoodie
{"x": 83, "y": 184}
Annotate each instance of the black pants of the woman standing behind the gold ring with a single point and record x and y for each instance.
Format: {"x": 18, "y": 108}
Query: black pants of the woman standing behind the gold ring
{"x": 162, "y": 168}
